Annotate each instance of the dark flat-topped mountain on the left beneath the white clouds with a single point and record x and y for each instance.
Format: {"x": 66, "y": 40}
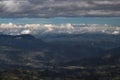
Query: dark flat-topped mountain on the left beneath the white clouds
{"x": 25, "y": 41}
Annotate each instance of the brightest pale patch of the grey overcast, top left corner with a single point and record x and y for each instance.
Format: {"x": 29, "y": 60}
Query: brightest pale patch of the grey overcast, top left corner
{"x": 13, "y": 6}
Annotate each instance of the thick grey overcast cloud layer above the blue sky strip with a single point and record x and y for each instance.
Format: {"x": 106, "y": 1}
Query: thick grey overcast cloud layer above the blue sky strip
{"x": 58, "y": 8}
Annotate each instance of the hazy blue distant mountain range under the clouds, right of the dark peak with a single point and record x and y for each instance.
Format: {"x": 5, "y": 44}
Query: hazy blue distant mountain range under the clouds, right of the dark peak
{"x": 105, "y": 41}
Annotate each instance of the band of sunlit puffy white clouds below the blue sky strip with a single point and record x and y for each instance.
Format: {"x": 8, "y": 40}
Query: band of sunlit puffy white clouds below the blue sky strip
{"x": 50, "y": 29}
